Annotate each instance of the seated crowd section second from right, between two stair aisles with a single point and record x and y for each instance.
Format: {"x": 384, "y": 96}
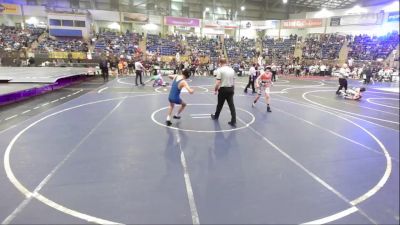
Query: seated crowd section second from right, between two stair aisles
{"x": 324, "y": 46}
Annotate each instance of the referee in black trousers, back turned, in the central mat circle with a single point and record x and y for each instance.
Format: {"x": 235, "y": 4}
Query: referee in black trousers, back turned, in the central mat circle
{"x": 224, "y": 86}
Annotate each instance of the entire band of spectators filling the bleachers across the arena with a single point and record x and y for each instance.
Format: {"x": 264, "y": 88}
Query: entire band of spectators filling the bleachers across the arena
{"x": 274, "y": 50}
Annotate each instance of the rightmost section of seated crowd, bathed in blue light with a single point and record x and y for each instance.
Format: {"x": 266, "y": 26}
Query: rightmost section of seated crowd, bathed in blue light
{"x": 364, "y": 47}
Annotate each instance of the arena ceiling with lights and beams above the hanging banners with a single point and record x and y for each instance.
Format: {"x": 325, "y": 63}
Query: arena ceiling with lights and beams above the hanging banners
{"x": 212, "y": 9}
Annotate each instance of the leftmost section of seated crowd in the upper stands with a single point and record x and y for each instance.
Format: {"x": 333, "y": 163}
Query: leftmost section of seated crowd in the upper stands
{"x": 14, "y": 39}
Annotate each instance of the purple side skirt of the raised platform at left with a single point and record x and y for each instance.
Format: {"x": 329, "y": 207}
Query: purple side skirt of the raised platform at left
{"x": 28, "y": 93}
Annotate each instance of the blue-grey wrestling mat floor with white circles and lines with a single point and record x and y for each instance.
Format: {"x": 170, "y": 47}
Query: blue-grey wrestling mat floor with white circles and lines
{"x": 106, "y": 157}
